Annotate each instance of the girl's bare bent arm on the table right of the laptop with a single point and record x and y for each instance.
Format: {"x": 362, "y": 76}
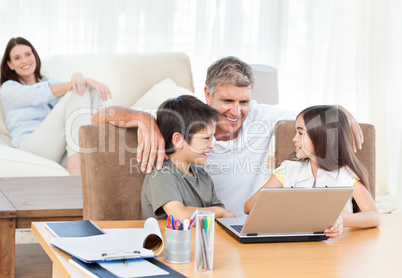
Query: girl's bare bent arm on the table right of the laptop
{"x": 368, "y": 215}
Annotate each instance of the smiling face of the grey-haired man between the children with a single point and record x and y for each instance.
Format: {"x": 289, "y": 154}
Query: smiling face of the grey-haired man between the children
{"x": 233, "y": 103}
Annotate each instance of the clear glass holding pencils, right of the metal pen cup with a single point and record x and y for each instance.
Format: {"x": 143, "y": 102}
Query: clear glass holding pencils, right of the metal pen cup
{"x": 204, "y": 241}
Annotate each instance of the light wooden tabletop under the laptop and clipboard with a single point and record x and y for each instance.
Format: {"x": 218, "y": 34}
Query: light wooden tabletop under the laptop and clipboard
{"x": 375, "y": 252}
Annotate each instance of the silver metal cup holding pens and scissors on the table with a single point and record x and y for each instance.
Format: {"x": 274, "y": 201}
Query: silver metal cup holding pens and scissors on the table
{"x": 178, "y": 246}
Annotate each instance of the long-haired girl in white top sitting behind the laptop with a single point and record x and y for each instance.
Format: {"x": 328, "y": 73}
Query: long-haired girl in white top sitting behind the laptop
{"x": 324, "y": 157}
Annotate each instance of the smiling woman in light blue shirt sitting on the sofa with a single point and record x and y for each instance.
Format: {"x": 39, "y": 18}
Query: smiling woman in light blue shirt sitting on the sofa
{"x": 42, "y": 115}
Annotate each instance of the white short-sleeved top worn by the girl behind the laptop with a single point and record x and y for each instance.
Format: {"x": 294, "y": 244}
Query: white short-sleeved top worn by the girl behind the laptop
{"x": 299, "y": 174}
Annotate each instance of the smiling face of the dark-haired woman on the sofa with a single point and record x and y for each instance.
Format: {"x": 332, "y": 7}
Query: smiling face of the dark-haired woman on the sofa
{"x": 23, "y": 62}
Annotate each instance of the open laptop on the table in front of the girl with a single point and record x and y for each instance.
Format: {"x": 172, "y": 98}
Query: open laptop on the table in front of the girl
{"x": 289, "y": 214}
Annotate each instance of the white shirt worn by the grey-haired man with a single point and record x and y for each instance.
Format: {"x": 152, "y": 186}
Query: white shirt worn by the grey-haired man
{"x": 237, "y": 167}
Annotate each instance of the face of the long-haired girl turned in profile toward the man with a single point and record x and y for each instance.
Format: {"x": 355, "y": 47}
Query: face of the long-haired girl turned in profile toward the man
{"x": 303, "y": 144}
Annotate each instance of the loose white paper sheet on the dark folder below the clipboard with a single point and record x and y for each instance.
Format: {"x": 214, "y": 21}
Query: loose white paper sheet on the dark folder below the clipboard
{"x": 133, "y": 268}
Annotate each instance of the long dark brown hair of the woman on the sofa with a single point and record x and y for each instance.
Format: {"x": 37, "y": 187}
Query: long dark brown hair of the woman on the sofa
{"x": 9, "y": 74}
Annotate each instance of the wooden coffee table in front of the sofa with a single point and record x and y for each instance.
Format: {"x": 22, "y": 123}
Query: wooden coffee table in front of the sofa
{"x": 26, "y": 200}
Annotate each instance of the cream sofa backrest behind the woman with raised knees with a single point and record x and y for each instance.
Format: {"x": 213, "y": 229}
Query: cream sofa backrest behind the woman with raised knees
{"x": 128, "y": 76}
